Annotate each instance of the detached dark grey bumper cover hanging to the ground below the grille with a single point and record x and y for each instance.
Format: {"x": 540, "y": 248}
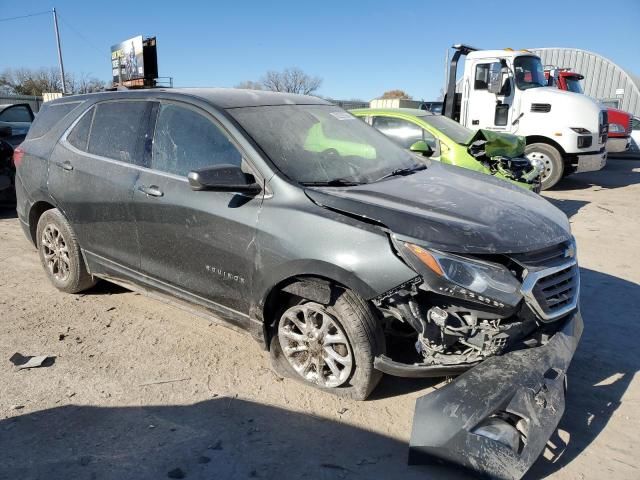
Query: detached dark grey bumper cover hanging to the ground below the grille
{"x": 529, "y": 384}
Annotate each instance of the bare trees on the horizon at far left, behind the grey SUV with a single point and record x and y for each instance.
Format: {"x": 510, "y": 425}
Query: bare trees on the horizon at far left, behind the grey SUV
{"x": 24, "y": 81}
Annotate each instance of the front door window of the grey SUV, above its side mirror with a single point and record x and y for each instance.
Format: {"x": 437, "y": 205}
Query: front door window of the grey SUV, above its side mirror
{"x": 185, "y": 140}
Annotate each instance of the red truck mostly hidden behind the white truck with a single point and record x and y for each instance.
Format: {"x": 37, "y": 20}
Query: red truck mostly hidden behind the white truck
{"x": 619, "y": 134}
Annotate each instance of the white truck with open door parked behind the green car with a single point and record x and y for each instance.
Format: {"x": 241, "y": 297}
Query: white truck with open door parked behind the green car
{"x": 506, "y": 91}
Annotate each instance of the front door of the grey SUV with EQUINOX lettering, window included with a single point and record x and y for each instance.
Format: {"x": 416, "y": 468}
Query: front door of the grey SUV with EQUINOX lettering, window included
{"x": 196, "y": 243}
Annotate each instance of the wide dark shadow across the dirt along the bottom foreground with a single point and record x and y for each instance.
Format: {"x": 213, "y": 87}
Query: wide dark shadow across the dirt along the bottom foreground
{"x": 220, "y": 438}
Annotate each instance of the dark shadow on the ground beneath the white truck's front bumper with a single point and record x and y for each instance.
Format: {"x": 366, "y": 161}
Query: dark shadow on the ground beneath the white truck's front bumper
{"x": 617, "y": 173}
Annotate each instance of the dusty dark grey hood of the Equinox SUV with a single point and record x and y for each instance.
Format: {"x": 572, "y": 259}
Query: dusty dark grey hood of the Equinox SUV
{"x": 453, "y": 209}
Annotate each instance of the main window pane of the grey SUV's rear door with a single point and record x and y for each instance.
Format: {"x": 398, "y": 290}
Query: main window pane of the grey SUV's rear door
{"x": 116, "y": 129}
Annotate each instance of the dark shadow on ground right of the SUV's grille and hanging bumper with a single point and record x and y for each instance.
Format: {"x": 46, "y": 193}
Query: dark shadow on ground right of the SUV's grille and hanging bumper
{"x": 603, "y": 367}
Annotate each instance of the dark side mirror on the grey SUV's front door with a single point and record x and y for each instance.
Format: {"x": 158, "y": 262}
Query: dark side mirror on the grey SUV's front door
{"x": 223, "y": 178}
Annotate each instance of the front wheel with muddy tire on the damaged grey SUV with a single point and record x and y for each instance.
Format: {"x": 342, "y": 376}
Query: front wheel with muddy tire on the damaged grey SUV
{"x": 347, "y": 314}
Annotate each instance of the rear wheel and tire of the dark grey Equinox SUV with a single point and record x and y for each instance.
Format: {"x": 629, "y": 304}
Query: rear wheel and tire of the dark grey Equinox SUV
{"x": 60, "y": 253}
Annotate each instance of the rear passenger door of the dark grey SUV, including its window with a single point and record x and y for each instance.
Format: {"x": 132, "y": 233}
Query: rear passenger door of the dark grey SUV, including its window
{"x": 92, "y": 173}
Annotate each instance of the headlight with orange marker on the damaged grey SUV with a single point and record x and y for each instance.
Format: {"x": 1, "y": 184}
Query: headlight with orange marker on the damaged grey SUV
{"x": 484, "y": 282}
